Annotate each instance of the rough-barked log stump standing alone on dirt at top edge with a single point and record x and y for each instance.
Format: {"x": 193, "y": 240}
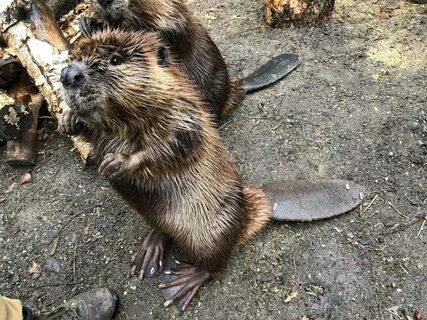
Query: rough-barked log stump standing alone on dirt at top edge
{"x": 297, "y": 13}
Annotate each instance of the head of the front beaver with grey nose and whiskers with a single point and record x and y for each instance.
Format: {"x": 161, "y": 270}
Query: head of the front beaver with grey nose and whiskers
{"x": 115, "y": 76}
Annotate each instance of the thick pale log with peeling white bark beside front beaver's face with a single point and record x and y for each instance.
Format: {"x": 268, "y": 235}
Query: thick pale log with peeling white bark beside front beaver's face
{"x": 42, "y": 49}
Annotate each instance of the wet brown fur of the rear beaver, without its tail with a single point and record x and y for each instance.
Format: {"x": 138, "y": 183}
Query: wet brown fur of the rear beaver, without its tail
{"x": 195, "y": 51}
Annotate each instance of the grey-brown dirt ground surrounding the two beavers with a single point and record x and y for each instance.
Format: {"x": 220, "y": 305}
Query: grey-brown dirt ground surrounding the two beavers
{"x": 355, "y": 109}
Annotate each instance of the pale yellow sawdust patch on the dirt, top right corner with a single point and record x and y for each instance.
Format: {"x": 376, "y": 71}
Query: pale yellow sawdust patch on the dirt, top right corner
{"x": 396, "y": 47}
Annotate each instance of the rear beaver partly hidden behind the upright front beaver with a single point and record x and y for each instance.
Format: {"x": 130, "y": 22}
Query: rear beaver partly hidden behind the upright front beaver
{"x": 199, "y": 57}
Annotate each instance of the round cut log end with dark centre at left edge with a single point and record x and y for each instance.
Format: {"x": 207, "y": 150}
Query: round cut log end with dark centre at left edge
{"x": 15, "y": 118}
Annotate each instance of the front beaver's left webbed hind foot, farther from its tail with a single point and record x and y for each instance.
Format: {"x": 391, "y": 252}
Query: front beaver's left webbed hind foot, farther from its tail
{"x": 149, "y": 258}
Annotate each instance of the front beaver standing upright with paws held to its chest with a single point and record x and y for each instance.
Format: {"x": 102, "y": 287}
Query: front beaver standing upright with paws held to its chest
{"x": 153, "y": 139}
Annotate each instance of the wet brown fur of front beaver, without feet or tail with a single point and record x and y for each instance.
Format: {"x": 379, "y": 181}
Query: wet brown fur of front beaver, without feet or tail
{"x": 180, "y": 178}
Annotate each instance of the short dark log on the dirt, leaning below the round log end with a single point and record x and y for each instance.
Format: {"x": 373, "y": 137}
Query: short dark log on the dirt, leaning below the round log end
{"x": 22, "y": 152}
